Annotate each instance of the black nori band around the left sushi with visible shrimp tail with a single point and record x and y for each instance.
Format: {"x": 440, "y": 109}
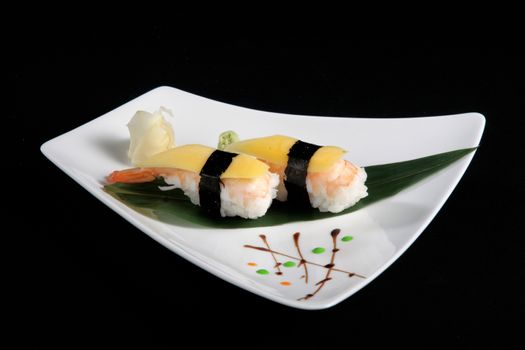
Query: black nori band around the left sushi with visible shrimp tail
{"x": 209, "y": 185}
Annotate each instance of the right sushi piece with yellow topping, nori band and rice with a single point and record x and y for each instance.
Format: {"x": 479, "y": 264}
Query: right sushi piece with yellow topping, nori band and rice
{"x": 310, "y": 175}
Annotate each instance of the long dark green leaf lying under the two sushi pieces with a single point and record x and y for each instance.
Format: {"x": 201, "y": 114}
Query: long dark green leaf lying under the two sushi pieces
{"x": 173, "y": 207}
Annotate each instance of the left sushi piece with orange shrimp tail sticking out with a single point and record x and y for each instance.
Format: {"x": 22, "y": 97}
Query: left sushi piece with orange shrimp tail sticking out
{"x": 222, "y": 183}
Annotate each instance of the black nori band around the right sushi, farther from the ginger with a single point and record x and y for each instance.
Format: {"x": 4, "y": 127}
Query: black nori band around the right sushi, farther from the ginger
{"x": 296, "y": 170}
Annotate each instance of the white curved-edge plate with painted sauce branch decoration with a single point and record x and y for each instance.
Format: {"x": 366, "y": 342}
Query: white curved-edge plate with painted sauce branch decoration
{"x": 381, "y": 232}
